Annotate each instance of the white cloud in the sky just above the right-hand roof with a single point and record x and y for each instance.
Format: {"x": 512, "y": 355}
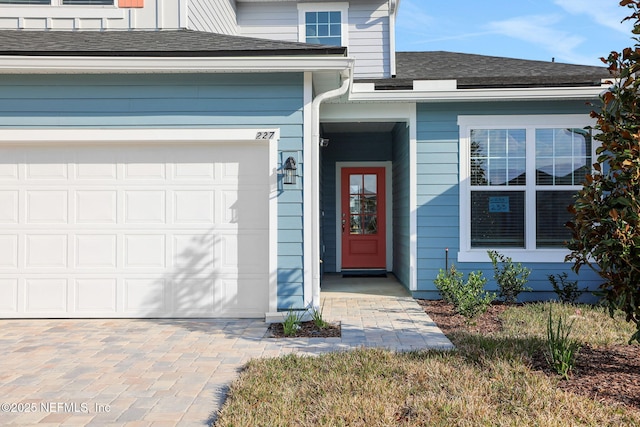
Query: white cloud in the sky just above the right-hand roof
{"x": 538, "y": 30}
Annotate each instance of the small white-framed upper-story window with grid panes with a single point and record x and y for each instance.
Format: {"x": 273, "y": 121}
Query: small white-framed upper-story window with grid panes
{"x": 323, "y": 23}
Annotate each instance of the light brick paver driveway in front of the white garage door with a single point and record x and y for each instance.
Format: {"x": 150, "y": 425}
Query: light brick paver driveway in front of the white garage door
{"x": 117, "y": 372}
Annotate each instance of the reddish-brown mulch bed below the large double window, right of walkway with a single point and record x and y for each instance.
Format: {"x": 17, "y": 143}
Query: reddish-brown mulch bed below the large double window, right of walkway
{"x": 610, "y": 374}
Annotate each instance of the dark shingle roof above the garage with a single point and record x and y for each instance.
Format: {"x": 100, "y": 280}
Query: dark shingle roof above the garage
{"x": 173, "y": 43}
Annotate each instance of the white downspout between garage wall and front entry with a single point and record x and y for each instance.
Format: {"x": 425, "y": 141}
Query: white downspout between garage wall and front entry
{"x": 315, "y": 181}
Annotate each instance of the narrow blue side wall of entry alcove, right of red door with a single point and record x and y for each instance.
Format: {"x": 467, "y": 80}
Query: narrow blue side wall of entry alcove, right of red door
{"x": 401, "y": 204}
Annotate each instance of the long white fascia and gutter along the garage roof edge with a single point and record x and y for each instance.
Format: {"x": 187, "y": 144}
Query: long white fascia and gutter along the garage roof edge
{"x": 106, "y": 65}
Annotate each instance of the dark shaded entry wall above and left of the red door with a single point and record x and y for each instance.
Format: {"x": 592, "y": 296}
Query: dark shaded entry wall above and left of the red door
{"x": 348, "y": 147}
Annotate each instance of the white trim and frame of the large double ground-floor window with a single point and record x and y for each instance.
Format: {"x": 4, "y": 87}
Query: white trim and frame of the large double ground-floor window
{"x": 530, "y": 122}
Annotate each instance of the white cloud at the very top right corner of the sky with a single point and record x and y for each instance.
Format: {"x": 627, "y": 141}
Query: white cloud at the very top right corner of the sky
{"x": 607, "y": 13}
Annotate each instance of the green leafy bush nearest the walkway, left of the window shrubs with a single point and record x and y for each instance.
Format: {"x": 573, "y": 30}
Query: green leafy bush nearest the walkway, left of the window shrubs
{"x": 469, "y": 299}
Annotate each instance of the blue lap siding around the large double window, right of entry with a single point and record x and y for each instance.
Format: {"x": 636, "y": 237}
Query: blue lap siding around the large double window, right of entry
{"x": 438, "y": 196}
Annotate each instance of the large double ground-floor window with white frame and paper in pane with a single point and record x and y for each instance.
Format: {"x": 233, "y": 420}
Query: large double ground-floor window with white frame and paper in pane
{"x": 518, "y": 175}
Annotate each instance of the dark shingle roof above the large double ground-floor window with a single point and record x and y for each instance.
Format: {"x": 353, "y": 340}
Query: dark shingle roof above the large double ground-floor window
{"x": 479, "y": 71}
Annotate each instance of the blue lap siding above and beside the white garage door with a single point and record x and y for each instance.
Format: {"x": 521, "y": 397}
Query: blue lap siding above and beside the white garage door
{"x": 193, "y": 100}
